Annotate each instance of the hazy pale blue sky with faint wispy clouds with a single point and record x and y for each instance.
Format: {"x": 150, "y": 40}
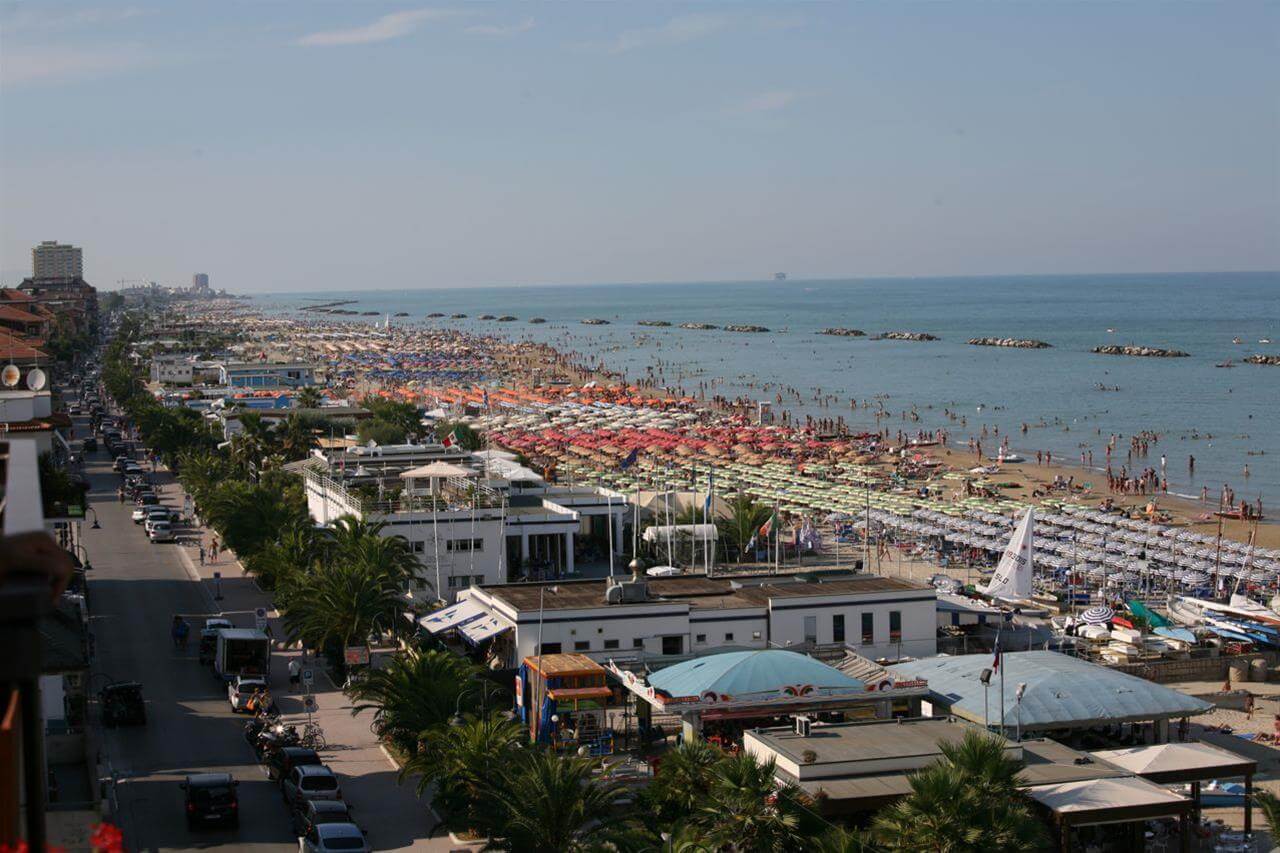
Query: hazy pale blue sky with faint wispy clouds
{"x": 303, "y": 147}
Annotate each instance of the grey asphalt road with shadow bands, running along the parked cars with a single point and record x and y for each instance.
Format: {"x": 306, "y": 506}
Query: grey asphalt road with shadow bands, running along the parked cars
{"x": 135, "y": 590}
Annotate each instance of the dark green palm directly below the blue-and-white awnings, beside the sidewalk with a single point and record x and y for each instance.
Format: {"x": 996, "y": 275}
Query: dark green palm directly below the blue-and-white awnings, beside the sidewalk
{"x": 417, "y": 694}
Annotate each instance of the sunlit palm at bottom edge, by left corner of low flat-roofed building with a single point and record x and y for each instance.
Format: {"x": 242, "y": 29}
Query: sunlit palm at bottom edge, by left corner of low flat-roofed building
{"x": 749, "y": 810}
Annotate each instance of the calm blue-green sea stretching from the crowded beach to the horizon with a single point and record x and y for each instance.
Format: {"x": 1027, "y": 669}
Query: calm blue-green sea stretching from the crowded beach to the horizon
{"x": 1071, "y": 399}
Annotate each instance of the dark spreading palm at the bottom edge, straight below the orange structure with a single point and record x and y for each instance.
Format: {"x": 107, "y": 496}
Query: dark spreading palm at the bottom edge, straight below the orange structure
{"x": 548, "y": 804}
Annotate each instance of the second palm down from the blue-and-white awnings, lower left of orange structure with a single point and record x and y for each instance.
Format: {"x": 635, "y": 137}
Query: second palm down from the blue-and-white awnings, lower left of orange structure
{"x": 467, "y": 765}
